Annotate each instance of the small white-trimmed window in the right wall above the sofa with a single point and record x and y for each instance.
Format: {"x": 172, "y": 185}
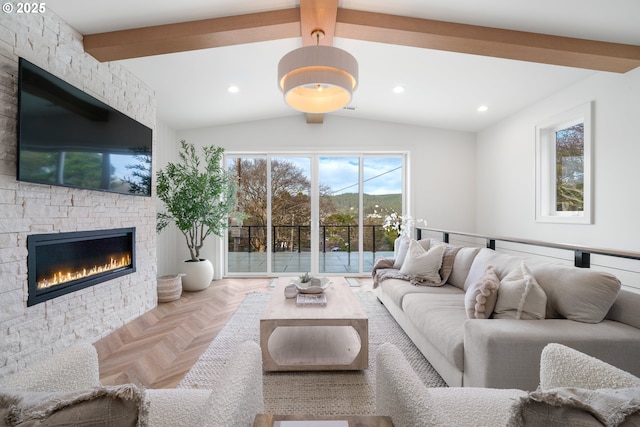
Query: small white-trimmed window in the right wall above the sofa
{"x": 563, "y": 167}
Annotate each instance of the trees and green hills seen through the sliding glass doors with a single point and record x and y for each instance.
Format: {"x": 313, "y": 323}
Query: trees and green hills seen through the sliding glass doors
{"x": 291, "y": 211}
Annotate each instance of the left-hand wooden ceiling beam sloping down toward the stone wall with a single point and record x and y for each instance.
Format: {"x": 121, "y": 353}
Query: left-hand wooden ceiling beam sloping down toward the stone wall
{"x": 194, "y": 35}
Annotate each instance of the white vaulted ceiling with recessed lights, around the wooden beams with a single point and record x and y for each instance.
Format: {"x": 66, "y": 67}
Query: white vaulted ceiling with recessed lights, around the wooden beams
{"x": 442, "y": 89}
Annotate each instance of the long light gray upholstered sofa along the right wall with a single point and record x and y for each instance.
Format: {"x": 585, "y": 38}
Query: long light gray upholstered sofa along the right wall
{"x": 585, "y": 309}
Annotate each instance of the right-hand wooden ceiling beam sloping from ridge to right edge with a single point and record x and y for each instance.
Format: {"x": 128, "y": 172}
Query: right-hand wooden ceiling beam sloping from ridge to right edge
{"x": 494, "y": 42}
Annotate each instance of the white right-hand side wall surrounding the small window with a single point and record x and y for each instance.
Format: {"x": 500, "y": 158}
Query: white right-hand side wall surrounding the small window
{"x": 505, "y": 183}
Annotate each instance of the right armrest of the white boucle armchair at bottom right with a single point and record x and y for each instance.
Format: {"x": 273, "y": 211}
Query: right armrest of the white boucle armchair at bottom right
{"x": 562, "y": 366}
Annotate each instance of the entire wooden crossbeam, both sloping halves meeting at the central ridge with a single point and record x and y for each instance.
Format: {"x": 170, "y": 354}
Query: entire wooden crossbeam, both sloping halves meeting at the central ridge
{"x": 367, "y": 26}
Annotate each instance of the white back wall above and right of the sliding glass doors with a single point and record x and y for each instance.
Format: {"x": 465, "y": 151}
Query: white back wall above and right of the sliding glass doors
{"x": 441, "y": 163}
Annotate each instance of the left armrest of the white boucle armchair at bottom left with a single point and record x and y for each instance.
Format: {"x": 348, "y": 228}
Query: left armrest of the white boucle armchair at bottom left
{"x": 72, "y": 369}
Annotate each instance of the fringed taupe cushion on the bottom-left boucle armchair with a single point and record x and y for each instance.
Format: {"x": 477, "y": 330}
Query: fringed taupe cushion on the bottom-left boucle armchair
{"x": 123, "y": 405}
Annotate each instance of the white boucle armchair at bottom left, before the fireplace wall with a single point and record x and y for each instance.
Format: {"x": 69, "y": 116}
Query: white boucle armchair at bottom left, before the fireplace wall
{"x": 235, "y": 400}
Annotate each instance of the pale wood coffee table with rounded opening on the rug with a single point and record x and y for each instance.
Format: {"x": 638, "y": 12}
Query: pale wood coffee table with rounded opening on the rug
{"x": 314, "y": 338}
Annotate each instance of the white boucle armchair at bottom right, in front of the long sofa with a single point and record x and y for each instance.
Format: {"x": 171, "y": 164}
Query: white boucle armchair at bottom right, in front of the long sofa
{"x": 565, "y": 374}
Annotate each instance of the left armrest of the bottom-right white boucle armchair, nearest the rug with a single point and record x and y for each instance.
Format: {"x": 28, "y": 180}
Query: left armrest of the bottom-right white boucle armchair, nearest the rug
{"x": 399, "y": 392}
